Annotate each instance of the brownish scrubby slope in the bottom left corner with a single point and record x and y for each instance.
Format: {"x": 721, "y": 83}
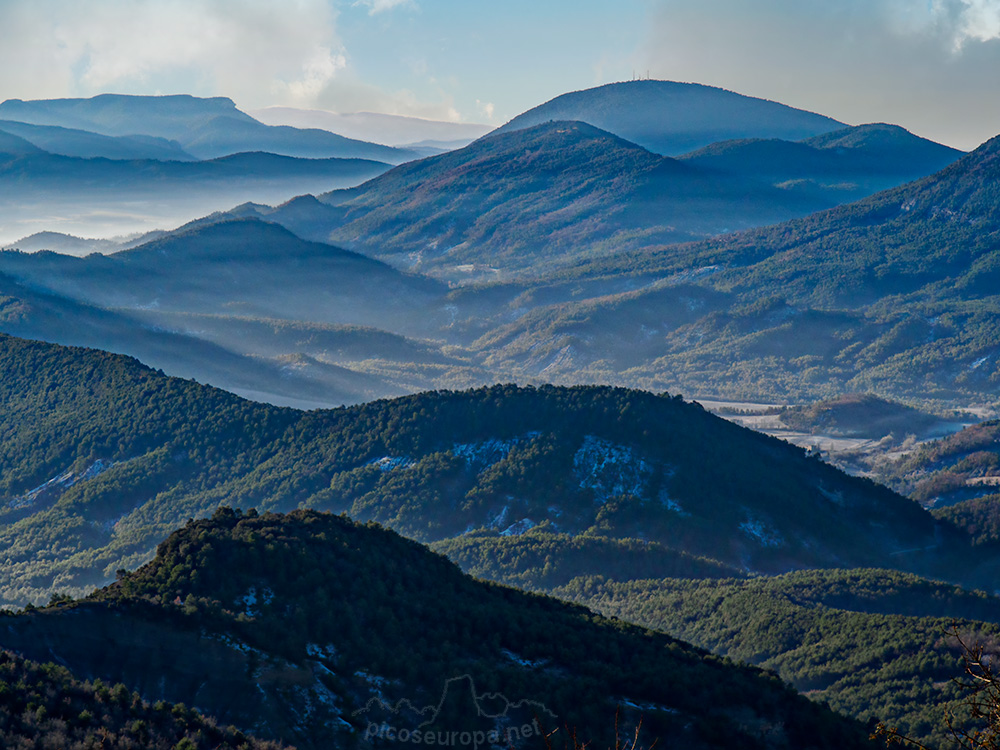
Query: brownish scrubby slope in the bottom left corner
{"x": 44, "y": 706}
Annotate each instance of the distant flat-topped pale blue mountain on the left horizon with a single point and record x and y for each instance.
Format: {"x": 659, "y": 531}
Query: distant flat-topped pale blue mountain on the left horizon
{"x": 205, "y": 128}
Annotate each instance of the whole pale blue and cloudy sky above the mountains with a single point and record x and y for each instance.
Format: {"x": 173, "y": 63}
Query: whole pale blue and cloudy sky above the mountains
{"x": 932, "y": 66}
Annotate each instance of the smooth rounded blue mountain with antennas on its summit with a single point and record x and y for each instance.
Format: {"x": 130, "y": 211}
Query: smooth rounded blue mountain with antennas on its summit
{"x": 673, "y": 118}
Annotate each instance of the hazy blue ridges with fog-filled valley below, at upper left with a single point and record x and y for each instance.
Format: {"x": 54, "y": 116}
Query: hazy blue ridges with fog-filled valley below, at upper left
{"x": 115, "y": 165}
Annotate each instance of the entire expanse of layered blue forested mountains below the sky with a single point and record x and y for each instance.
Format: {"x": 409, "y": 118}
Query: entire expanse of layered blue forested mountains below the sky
{"x": 269, "y": 566}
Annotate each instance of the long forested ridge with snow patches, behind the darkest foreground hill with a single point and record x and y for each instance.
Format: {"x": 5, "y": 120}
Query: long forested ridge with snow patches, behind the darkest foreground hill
{"x": 103, "y": 457}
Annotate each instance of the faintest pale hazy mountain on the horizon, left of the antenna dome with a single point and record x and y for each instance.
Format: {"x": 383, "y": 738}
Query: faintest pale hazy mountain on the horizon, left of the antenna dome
{"x": 392, "y": 130}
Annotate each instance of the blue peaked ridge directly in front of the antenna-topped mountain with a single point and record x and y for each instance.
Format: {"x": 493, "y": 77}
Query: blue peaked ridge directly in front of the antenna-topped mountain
{"x": 523, "y": 201}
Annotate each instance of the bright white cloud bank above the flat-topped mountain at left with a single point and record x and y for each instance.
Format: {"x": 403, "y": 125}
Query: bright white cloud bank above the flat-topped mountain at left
{"x": 255, "y": 51}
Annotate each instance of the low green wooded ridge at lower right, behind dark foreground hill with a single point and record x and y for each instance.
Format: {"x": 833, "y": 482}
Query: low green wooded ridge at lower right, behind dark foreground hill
{"x": 871, "y": 644}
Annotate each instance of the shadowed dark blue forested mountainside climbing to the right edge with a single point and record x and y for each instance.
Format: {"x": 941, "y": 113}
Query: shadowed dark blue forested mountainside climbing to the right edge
{"x": 925, "y": 238}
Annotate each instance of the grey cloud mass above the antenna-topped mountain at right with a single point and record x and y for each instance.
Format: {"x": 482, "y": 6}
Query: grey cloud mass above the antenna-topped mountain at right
{"x": 929, "y": 65}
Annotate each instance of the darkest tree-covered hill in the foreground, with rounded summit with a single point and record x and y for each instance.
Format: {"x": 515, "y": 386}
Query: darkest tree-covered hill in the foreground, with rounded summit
{"x": 359, "y": 600}
